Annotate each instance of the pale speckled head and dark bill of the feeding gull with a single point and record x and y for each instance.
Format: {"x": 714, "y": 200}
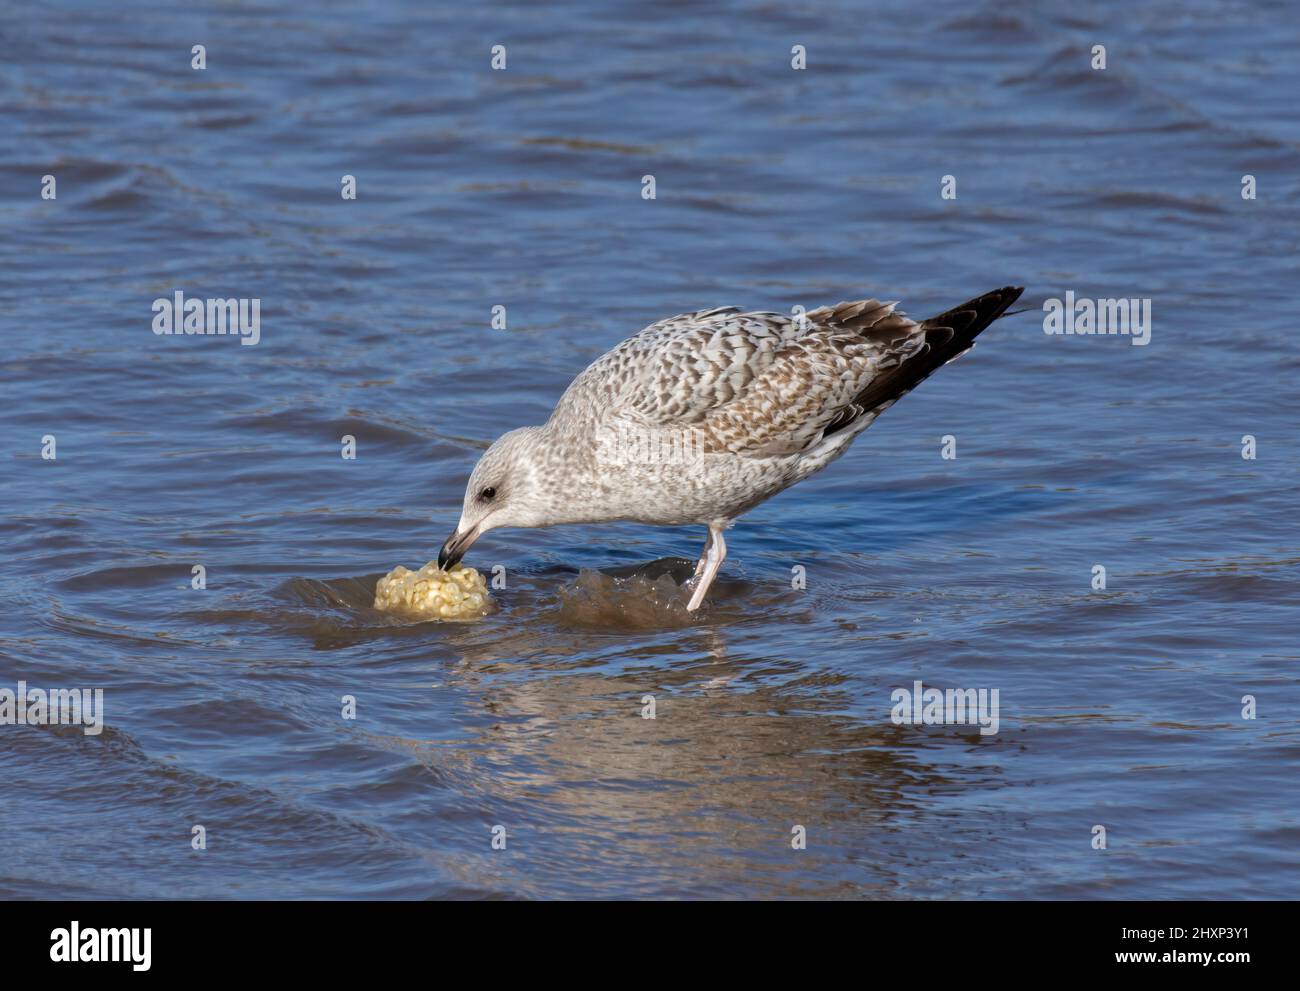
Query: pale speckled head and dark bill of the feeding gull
{"x": 513, "y": 486}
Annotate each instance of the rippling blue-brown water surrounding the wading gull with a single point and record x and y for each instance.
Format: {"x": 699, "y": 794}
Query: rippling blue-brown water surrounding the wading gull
{"x": 522, "y": 188}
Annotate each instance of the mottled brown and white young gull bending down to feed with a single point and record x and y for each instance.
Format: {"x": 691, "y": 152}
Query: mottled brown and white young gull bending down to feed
{"x": 700, "y": 418}
